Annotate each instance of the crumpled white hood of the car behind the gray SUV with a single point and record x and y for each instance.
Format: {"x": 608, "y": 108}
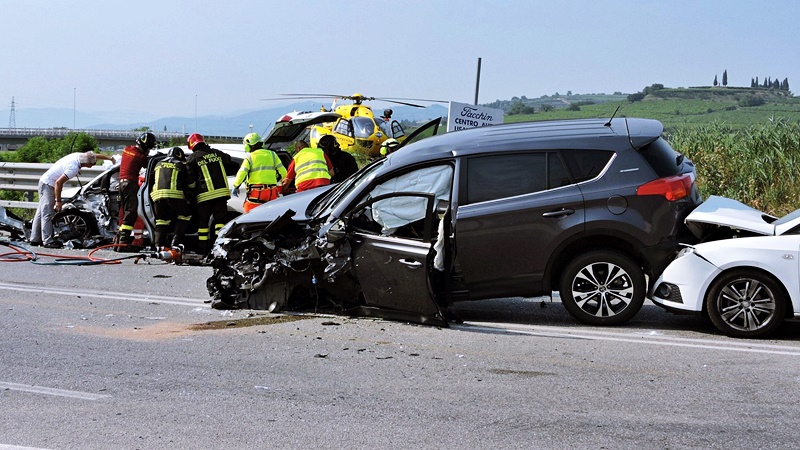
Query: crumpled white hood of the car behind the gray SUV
{"x": 730, "y": 213}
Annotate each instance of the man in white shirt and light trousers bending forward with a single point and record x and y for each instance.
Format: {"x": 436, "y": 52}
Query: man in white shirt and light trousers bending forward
{"x": 50, "y": 185}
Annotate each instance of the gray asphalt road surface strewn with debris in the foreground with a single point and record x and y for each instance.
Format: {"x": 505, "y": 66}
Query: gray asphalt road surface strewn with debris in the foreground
{"x": 130, "y": 356}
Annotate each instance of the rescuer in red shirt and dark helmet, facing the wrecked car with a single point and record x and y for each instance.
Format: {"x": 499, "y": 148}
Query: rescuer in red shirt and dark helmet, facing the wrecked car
{"x": 134, "y": 157}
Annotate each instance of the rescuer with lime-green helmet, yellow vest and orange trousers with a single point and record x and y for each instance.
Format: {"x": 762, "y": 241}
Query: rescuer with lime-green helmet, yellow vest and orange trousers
{"x": 261, "y": 169}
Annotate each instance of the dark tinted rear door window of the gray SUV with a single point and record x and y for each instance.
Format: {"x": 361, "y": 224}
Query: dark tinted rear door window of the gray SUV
{"x": 508, "y": 175}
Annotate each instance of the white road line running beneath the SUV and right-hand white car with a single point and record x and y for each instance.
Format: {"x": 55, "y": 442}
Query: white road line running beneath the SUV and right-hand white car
{"x": 636, "y": 337}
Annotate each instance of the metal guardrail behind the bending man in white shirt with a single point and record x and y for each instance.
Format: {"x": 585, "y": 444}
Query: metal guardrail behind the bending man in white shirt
{"x": 25, "y": 177}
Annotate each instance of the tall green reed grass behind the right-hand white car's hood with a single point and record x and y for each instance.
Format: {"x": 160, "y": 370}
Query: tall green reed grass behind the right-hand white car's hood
{"x": 759, "y": 165}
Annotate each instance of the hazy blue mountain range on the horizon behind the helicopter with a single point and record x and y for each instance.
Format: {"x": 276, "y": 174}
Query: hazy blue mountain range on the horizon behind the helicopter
{"x": 231, "y": 125}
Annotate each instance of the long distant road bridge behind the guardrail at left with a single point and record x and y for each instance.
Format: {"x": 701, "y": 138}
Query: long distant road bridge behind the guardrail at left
{"x": 14, "y": 138}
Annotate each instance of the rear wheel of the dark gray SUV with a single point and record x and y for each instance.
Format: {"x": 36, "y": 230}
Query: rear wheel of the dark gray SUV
{"x": 602, "y": 287}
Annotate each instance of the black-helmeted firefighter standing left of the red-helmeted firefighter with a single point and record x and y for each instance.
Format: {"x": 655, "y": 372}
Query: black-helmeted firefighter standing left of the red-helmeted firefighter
{"x": 171, "y": 182}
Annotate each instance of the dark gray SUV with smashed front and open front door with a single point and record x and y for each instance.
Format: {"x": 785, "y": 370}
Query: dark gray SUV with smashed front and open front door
{"x": 587, "y": 208}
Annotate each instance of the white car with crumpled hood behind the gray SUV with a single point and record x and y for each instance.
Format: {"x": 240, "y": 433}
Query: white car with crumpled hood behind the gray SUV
{"x": 747, "y": 280}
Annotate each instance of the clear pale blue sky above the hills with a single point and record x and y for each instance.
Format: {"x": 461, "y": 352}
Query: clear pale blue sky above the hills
{"x": 169, "y": 57}
